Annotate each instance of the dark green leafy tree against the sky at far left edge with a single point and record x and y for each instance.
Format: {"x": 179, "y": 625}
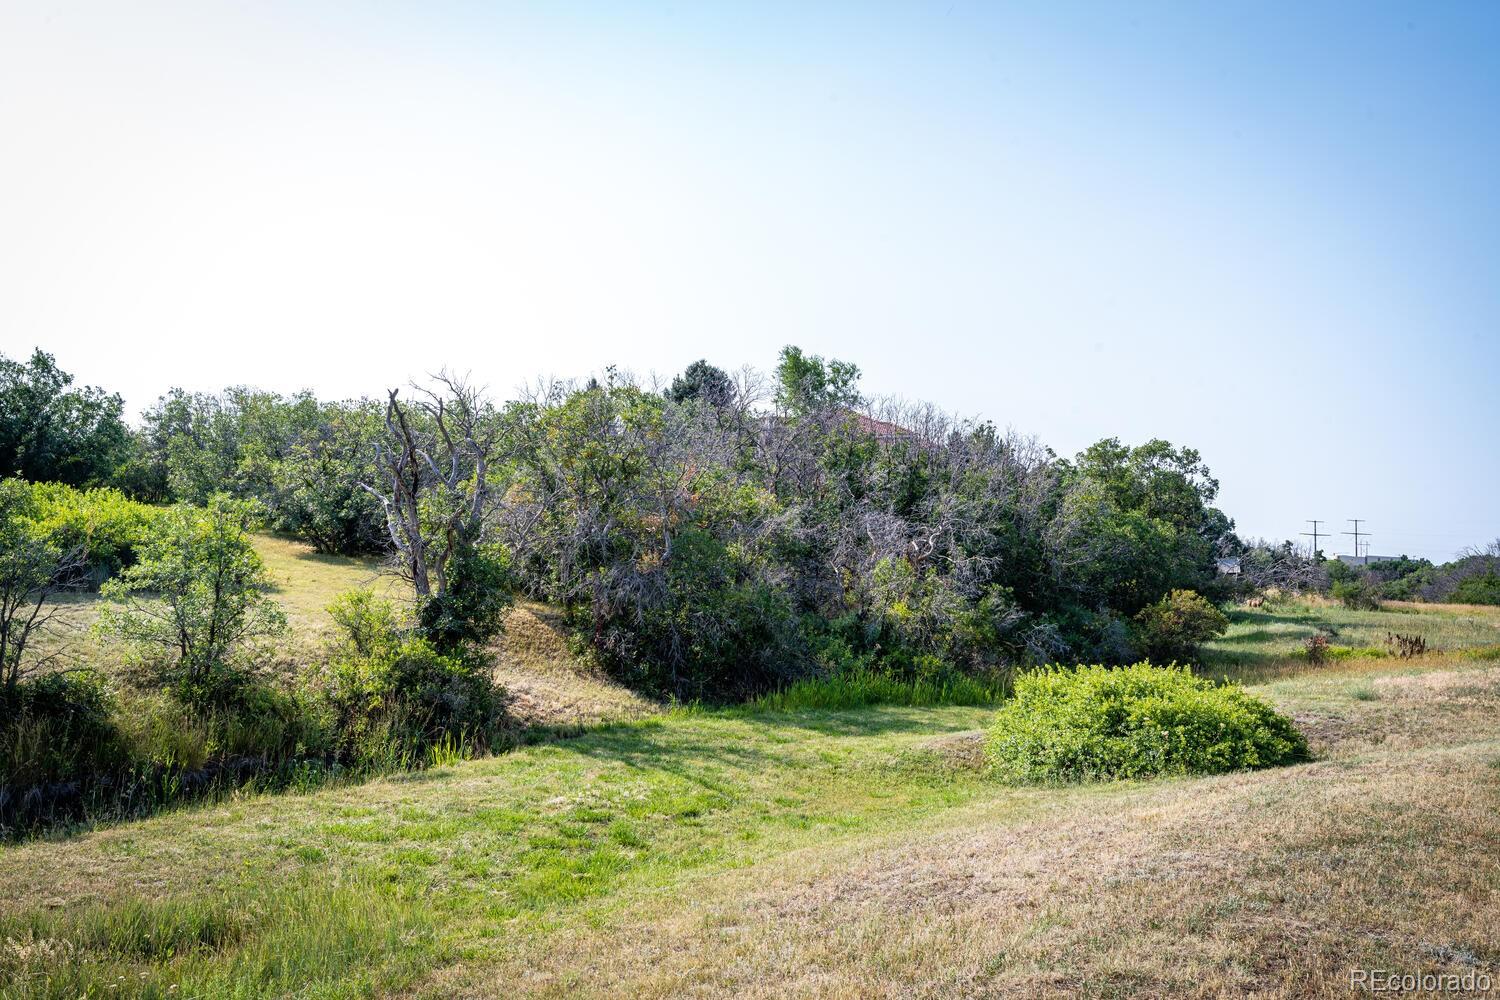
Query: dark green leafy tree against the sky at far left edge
{"x": 53, "y": 433}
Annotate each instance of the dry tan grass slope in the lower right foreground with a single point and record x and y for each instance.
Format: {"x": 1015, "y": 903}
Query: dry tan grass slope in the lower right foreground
{"x": 1384, "y": 855}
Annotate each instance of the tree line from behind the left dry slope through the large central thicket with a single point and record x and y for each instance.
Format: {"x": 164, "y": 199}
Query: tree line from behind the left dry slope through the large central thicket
{"x": 719, "y": 534}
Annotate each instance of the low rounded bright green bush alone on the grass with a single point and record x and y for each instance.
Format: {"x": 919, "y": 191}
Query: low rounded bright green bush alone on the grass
{"x": 1085, "y": 723}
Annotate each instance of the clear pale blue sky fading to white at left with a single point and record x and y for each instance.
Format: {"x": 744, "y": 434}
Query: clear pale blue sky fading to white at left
{"x": 1270, "y": 232}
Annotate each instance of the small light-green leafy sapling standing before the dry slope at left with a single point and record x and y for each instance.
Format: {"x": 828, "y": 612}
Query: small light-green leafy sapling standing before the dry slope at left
{"x": 197, "y": 594}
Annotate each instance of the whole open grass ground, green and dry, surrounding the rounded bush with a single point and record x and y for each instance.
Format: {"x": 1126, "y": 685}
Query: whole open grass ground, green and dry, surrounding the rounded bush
{"x": 818, "y": 854}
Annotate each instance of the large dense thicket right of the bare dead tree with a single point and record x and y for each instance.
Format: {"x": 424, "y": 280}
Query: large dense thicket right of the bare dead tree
{"x": 725, "y": 534}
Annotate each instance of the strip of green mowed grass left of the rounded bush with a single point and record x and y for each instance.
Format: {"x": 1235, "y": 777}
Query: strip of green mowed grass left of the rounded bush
{"x": 460, "y": 863}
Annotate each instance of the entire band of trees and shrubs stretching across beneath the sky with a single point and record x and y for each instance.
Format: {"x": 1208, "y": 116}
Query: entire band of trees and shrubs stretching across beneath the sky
{"x": 709, "y": 539}
